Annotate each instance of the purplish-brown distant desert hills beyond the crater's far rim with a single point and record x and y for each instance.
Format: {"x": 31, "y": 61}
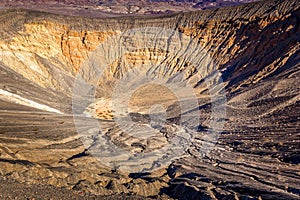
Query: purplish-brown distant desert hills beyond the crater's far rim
{"x": 121, "y": 6}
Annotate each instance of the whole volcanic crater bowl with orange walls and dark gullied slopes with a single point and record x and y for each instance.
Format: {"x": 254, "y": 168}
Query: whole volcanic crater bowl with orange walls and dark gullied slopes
{"x": 250, "y": 53}
